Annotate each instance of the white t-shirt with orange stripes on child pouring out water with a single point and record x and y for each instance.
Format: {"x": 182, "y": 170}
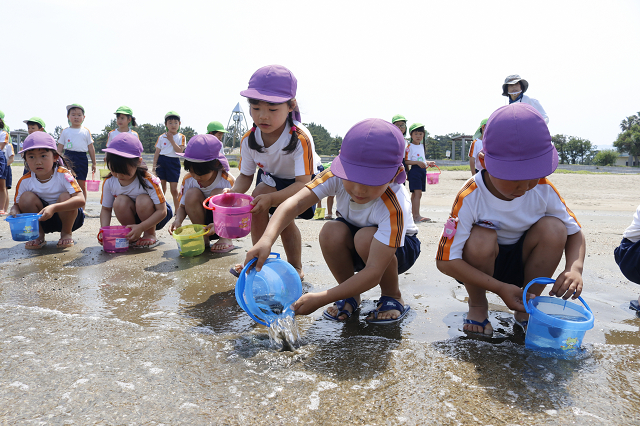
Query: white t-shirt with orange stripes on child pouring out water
{"x": 391, "y": 213}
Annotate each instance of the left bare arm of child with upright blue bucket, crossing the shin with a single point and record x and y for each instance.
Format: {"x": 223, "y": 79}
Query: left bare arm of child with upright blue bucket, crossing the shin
{"x": 462, "y": 271}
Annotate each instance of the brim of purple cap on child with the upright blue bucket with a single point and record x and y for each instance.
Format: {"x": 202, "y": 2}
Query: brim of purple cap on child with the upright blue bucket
{"x": 533, "y": 168}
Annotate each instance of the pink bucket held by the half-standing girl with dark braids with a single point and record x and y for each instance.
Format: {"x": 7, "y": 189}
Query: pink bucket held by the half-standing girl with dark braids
{"x": 231, "y": 214}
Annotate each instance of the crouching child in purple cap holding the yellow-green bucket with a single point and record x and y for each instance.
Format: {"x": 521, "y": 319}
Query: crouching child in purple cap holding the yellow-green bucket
{"x": 208, "y": 176}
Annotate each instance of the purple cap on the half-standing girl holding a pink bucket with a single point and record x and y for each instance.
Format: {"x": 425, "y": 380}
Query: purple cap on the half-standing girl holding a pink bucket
{"x": 274, "y": 84}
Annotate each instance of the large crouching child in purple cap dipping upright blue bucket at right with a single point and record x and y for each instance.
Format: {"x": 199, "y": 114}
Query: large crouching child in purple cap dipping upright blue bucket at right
{"x": 511, "y": 224}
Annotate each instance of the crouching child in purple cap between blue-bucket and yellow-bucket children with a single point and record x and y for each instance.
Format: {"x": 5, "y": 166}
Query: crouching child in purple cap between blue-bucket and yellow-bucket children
{"x": 133, "y": 193}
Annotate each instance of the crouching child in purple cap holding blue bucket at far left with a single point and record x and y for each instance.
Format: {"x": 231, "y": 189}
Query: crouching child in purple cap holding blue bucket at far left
{"x": 49, "y": 189}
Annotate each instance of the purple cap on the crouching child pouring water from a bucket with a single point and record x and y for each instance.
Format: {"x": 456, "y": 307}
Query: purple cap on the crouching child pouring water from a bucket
{"x": 371, "y": 153}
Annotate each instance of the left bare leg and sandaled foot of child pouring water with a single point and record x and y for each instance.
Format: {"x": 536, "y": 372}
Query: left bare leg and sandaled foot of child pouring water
{"x": 337, "y": 245}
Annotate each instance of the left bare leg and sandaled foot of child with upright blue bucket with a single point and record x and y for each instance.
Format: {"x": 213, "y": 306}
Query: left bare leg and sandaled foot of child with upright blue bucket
{"x": 480, "y": 251}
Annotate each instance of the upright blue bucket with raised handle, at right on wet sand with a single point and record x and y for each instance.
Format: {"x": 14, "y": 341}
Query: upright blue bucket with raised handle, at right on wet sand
{"x": 555, "y": 325}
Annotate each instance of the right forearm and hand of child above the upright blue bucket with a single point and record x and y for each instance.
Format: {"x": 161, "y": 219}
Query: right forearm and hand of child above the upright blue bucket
{"x": 569, "y": 282}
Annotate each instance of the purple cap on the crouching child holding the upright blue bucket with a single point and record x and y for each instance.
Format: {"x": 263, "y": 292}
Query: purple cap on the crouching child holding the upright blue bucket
{"x": 517, "y": 144}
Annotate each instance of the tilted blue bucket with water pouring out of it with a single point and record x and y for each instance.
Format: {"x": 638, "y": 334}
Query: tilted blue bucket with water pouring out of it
{"x": 267, "y": 295}
